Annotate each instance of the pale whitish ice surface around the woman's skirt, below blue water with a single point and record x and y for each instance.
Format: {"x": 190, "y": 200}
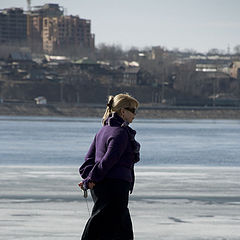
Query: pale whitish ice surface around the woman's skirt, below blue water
{"x": 170, "y": 203}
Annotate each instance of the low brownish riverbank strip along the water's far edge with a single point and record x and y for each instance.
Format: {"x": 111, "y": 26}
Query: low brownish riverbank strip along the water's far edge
{"x": 84, "y": 110}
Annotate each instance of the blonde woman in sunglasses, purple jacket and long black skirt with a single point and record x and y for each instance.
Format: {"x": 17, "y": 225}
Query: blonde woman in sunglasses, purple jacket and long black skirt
{"x": 108, "y": 171}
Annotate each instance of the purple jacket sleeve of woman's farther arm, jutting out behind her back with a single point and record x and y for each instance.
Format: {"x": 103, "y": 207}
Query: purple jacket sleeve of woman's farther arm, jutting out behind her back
{"x": 89, "y": 162}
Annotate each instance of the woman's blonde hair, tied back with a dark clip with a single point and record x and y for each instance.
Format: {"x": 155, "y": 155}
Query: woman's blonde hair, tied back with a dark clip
{"x": 115, "y": 103}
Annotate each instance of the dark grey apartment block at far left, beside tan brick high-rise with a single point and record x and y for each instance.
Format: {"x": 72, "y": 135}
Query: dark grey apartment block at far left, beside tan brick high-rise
{"x": 13, "y": 26}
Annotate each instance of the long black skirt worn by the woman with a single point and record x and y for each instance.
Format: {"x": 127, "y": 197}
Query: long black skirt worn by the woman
{"x": 110, "y": 218}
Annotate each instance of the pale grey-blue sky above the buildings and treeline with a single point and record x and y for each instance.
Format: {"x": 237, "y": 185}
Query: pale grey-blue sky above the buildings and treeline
{"x": 200, "y": 25}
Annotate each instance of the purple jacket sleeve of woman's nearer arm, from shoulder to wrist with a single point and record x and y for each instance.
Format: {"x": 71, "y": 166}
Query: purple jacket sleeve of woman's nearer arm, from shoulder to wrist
{"x": 116, "y": 145}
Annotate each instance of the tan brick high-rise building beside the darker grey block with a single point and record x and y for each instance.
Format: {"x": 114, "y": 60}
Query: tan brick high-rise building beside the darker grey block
{"x": 57, "y": 31}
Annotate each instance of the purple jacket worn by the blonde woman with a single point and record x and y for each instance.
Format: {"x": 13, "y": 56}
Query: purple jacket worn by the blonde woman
{"x": 112, "y": 153}
